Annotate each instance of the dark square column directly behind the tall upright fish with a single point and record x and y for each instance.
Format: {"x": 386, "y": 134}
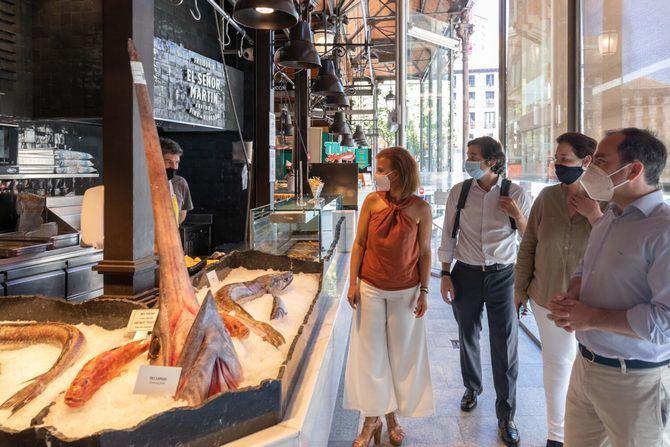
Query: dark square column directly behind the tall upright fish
{"x": 129, "y": 262}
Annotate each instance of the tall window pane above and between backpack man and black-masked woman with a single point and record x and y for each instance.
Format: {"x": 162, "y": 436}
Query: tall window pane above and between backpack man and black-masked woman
{"x": 537, "y": 91}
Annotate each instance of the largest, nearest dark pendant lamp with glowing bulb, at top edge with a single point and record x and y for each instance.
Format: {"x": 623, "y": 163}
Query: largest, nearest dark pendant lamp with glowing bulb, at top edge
{"x": 266, "y": 14}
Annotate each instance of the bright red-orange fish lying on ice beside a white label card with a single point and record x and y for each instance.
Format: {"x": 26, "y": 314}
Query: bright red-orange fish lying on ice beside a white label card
{"x": 100, "y": 370}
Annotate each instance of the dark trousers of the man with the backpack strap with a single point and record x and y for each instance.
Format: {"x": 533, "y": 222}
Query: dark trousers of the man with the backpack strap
{"x": 495, "y": 289}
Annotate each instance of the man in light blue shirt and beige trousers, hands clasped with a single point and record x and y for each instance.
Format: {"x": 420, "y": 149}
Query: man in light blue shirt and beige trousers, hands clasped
{"x": 619, "y": 302}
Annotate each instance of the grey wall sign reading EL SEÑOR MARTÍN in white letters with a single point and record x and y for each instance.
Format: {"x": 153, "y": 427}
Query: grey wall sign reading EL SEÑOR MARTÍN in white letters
{"x": 190, "y": 88}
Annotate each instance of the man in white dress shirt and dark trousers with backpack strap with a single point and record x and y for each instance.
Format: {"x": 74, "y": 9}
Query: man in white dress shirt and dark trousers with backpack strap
{"x": 482, "y": 219}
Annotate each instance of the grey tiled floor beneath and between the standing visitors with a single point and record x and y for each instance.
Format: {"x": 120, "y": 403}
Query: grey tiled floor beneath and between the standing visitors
{"x": 449, "y": 426}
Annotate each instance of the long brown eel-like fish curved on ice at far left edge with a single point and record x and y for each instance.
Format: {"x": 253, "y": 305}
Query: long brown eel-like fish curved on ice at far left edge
{"x": 67, "y": 336}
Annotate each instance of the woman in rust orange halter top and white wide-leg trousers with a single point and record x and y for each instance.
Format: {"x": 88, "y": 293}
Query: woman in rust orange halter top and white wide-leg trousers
{"x": 387, "y": 365}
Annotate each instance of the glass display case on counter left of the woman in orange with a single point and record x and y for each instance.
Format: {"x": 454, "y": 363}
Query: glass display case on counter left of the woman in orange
{"x": 304, "y": 230}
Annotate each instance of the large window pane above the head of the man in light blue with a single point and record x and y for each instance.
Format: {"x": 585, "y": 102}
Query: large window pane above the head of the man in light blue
{"x": 626, "y": 67}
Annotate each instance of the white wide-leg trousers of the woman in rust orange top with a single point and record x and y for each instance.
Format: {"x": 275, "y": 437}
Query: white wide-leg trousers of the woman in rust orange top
{"x": 387, "y": 365}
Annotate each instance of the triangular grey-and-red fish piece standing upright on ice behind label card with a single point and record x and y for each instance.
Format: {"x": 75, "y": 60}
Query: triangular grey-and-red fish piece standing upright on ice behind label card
{"x": 209, "y": 362}
